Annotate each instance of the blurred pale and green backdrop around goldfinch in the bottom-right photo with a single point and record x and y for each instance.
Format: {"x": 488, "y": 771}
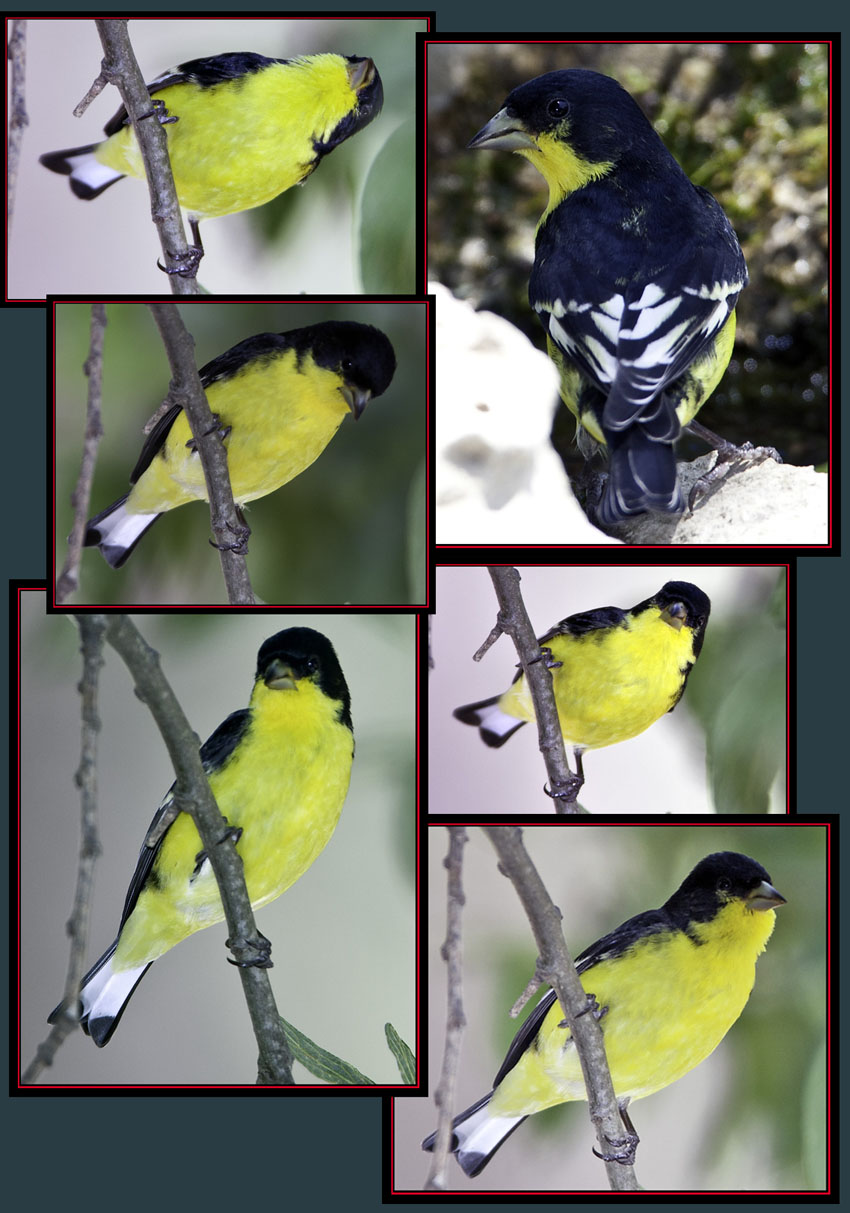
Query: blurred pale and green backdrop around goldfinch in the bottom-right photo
{"x": 750, "y": 1118}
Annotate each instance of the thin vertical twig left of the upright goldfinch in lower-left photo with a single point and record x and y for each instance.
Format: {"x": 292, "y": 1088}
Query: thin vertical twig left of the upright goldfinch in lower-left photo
{"x": 92, "y": 646}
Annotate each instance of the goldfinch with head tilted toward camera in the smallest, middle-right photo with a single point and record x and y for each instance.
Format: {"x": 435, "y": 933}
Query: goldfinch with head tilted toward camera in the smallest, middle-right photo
{"x": 619, "y": 671}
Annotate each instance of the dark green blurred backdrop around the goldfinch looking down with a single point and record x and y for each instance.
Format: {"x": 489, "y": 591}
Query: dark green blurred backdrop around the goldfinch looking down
{"x": 341, "y": 532}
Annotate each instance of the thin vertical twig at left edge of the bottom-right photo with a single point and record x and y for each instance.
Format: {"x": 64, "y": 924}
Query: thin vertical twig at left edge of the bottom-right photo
{"x": 457, "y": 1021}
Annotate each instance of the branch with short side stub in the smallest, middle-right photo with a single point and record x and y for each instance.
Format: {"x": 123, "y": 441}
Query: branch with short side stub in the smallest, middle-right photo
{"x": 514, "y": 620}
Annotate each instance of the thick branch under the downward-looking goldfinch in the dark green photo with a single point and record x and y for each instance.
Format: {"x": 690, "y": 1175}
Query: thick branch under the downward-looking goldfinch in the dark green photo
{"x": 186, "y": 390}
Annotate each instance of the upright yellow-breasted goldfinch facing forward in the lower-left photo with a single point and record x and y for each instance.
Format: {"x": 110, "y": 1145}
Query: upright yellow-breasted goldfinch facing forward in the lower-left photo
{"x": 279, "y": 772}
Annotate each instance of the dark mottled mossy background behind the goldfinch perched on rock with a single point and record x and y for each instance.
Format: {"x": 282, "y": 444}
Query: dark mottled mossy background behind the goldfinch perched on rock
{"x": 748, "y": 122}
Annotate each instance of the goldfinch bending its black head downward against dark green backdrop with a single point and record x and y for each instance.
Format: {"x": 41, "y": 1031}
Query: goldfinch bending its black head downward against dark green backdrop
{"x": 279, "y": 400}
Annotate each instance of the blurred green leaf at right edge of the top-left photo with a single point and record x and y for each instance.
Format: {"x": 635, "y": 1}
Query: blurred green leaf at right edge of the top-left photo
{"x": 387, "y": 218}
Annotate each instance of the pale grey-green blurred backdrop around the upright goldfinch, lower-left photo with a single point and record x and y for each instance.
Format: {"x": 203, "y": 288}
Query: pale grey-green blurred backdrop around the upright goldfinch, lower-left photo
{"x": 349, "y": 925}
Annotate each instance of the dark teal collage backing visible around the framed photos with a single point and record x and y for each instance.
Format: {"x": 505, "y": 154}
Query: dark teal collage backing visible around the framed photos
{"x": 321, "y": 1153}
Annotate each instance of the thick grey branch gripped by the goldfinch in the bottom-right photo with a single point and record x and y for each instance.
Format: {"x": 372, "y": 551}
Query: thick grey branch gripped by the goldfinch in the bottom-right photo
{"x": 556, "y": 967}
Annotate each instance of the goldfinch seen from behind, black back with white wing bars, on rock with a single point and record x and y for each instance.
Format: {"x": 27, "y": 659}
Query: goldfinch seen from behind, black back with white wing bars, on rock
{"x": 636, "y": 278}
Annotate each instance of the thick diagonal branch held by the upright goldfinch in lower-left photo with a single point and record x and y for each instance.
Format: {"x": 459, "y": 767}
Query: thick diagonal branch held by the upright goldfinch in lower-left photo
{"x": 193, "y": 796}
